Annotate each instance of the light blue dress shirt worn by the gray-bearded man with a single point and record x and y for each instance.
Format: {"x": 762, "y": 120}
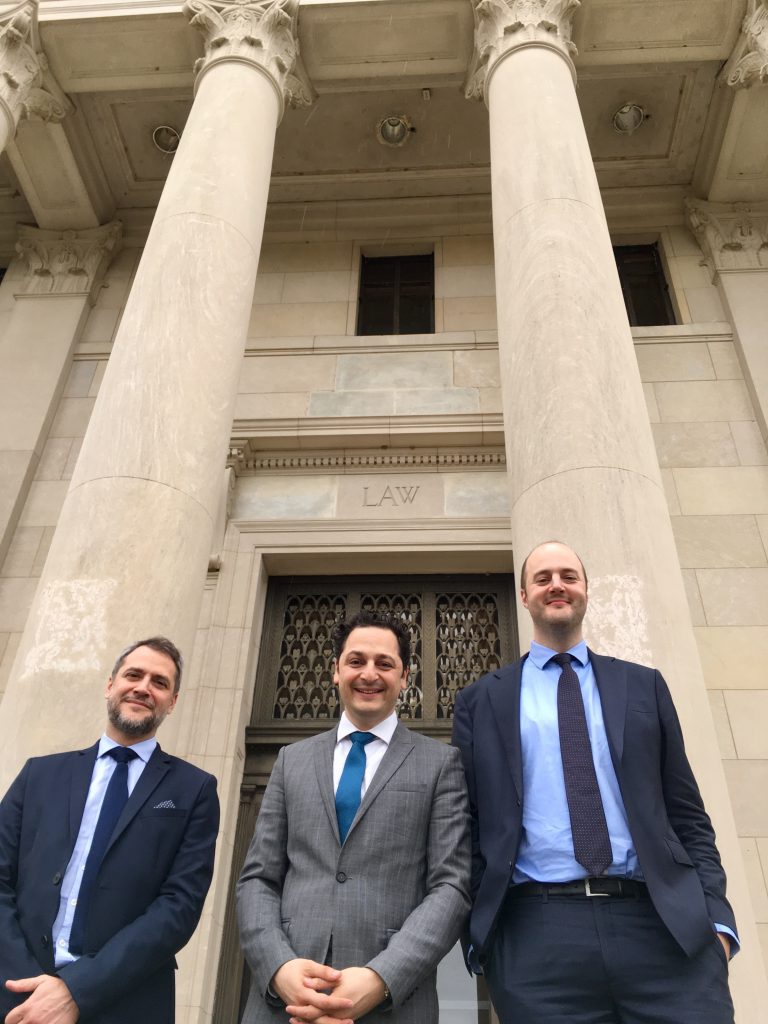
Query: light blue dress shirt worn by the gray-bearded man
{"x": 103, "y": 771}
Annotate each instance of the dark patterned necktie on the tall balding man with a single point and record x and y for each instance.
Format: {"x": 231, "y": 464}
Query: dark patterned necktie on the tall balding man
{"x": 588, "y": 826}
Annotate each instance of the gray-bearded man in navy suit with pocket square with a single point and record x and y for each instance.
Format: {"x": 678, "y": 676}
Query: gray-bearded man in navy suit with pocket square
{"x": 88, "y": 935}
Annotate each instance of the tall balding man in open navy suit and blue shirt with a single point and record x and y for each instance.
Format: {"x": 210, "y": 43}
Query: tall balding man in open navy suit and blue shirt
{"x": 600, "y": 897}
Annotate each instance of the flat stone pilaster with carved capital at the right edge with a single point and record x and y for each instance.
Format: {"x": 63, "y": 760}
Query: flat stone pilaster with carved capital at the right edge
{"x": 735, "y": 240}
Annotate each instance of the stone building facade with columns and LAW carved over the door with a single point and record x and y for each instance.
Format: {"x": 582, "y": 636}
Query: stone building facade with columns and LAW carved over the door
{"x": 201, "y": 434}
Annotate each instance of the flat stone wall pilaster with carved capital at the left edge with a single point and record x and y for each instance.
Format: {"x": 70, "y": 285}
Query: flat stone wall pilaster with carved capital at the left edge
{"x": 55, "y": 279}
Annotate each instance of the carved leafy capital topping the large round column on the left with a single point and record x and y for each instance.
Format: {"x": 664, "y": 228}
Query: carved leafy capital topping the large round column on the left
{"x": 260, "y": 32}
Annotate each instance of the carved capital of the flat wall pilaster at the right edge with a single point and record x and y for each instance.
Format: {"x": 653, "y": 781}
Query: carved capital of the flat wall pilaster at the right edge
{"x": 734, "y": 236}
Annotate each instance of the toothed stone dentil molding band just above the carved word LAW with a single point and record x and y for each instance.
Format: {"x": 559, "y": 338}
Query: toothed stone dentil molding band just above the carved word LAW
{"x": 244, "y": 459}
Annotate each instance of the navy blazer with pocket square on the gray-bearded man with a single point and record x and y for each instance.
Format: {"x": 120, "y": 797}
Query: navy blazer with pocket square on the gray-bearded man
{"x": 150, "y": 889}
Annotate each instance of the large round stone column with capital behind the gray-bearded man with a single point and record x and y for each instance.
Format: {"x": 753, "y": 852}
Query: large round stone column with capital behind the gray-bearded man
{"x": 132, "y": 548}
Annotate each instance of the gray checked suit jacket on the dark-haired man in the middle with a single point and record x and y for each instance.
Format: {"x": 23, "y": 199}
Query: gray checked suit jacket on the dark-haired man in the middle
{"x": 395, "y": 898}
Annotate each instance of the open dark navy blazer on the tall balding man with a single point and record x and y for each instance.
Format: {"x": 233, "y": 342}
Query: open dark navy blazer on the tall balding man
{"x": 670, "y": 828}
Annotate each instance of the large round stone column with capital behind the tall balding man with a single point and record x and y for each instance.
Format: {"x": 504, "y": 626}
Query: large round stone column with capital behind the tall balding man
{"x": 582, "y": 462}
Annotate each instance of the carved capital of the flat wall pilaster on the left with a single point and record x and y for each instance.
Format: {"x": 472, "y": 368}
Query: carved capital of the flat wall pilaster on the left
{"x": 63, "y": 263}
